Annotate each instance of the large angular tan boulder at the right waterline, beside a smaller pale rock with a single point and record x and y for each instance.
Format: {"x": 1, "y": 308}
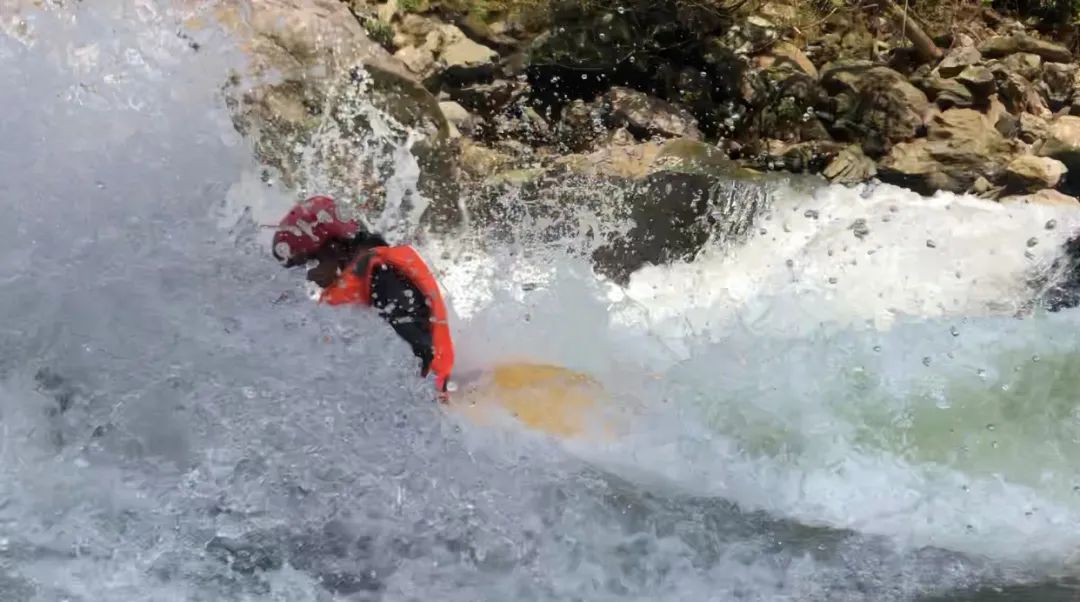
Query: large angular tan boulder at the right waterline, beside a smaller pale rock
{"x": 962, "y": 146}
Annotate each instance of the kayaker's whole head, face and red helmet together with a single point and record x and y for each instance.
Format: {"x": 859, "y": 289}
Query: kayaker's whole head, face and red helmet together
{"x": 314, "y": 232}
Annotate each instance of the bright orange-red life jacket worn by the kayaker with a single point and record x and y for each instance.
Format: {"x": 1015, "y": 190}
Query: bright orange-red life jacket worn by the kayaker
{"x": 354, "y": 289}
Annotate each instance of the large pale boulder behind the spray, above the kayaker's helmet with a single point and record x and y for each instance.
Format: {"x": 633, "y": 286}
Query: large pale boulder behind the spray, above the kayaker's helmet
{"x": 310, "y": 65}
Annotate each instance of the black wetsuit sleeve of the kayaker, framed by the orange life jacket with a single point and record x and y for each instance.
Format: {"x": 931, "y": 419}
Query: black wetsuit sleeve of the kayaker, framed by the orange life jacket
{"x": 402, "y": 304}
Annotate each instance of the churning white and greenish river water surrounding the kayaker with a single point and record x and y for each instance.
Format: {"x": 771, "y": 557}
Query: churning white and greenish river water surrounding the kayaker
{"x": 857, "y": 404}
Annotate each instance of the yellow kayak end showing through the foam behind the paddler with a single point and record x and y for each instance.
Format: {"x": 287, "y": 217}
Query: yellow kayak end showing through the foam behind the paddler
{"x": 546, "y": 398}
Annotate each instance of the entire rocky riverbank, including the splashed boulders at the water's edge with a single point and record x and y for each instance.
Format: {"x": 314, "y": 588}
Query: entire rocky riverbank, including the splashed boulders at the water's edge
{"x": 652, "y": 113}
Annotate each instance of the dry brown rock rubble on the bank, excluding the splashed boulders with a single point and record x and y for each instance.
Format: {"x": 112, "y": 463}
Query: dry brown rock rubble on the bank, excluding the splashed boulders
{"x": 989, "y": 109}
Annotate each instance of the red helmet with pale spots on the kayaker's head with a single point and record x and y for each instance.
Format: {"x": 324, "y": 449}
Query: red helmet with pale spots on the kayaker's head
{"x": 307, "y": 228}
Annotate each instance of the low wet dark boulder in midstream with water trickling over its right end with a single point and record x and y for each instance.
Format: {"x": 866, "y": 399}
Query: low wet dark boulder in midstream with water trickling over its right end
{"x": 672, "y": 216}
